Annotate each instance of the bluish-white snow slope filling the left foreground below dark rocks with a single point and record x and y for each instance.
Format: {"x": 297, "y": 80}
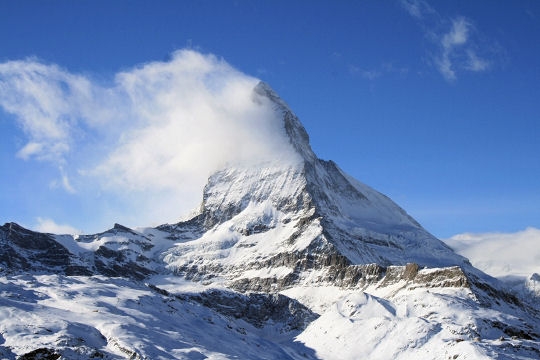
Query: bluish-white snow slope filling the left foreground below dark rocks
{"x": 112, "y": 318}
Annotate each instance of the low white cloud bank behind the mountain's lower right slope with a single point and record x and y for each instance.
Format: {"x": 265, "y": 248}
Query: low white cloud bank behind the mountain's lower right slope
{"x": 501, "y": 254}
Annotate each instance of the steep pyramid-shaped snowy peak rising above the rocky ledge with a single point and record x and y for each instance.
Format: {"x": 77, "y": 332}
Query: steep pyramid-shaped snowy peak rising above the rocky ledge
{"x": 308, "y": 219}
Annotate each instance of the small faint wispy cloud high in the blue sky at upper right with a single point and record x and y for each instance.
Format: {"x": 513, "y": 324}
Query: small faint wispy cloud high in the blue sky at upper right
{"x": 455, "y": 41}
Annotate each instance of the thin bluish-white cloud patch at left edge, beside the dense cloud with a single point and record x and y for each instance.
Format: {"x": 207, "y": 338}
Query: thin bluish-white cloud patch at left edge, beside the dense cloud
{"x": 47, "y": 102}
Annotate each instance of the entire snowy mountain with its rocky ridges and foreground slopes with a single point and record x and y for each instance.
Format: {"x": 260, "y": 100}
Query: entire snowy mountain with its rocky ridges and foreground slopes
{"x": 289, "y": 258}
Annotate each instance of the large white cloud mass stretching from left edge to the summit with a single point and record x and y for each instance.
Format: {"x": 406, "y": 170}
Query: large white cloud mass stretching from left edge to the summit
{"x": 151, "y": 138}
